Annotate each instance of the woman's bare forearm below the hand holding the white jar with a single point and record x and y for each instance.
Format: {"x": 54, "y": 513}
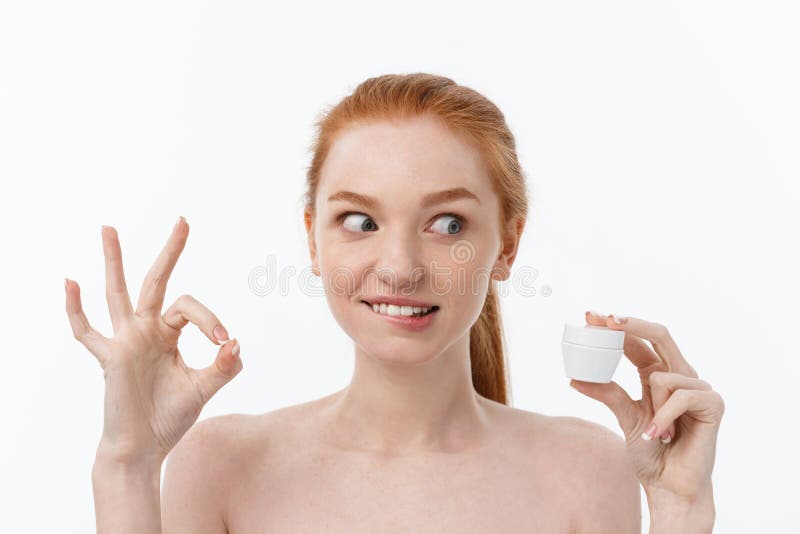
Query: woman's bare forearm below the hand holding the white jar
{"x": 671, "y": 513}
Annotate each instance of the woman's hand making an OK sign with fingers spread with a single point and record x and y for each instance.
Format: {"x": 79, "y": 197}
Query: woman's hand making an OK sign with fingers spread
{"x": 151, "y": 396}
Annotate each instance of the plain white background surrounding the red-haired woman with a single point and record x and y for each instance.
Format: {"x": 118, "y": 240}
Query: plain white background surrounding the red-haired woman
{"x": 660, "y": 141}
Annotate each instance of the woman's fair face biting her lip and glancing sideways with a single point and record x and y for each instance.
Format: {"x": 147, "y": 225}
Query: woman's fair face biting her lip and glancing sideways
{"x": 406, "y": 208}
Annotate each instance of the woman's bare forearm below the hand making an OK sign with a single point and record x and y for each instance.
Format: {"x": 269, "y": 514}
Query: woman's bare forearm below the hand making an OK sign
{"x": 127, "y": 498}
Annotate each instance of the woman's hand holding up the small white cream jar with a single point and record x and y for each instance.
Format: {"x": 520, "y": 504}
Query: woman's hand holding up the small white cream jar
{"x": 671, "y": 432}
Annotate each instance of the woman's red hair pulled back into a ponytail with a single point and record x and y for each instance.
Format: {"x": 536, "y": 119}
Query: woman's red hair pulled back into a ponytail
{"x": 466, "y": 111}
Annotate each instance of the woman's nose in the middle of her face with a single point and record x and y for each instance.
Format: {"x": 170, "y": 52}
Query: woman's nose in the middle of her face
{"x": 399, "y": 265}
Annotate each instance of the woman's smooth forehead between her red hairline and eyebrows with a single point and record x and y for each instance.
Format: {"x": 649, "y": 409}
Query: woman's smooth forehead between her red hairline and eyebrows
{"x": 400, "y": 158}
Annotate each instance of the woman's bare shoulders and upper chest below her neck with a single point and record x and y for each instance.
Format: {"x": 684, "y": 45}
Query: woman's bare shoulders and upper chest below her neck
{"x": 287, "y": 471}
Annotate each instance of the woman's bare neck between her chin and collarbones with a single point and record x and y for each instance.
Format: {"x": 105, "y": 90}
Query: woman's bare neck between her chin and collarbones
{"x": 400, "y": 409}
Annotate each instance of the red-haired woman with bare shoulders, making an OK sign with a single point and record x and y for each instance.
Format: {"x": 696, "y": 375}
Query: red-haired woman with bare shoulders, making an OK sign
{"x": 414, "y": 188}
